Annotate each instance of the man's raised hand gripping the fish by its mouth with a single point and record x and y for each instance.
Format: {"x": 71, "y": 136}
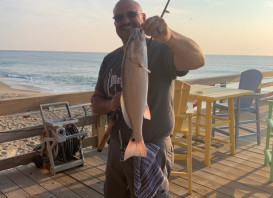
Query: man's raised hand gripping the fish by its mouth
{"x": 157, "y": 28}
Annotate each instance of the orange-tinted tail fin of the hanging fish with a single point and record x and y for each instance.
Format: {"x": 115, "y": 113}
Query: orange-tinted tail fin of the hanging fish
{"x": 135, "y": 149}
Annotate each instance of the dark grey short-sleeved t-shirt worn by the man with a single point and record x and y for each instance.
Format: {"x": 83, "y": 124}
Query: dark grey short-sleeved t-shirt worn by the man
{"x": 160, "y": 91}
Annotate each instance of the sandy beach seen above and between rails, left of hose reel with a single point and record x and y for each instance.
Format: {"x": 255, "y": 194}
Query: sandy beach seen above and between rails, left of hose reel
{"x": 16, "y": 147}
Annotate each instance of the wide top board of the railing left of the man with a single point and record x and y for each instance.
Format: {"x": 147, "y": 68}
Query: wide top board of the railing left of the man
{"x": 33, "y": 103}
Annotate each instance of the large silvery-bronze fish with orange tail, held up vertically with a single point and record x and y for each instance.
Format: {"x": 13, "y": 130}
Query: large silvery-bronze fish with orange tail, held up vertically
{"x": 134, "y": 81}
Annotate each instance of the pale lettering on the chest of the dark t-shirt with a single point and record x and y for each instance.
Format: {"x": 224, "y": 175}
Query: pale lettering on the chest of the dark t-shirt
{"x": 113, "y": 84}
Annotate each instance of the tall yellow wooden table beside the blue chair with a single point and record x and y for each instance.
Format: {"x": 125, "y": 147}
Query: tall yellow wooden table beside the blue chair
{"x": 209, "y": 94}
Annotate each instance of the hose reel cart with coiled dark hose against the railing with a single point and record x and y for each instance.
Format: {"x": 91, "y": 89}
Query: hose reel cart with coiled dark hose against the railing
{"x": 61, "y": 146}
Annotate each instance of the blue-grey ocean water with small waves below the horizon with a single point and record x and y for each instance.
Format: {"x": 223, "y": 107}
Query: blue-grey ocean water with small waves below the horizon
{"x": 60, "y": 72}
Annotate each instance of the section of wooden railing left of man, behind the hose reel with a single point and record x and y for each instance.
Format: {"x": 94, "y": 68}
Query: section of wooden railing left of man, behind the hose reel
{"x": 32, "y": 105}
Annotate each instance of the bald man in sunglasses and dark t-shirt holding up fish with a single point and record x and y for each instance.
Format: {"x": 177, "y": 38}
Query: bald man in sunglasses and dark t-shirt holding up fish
{"x": 169, "y": 54}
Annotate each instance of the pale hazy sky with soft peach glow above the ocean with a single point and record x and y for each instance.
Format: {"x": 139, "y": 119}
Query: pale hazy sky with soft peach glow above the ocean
{"x": 232, "y": 27}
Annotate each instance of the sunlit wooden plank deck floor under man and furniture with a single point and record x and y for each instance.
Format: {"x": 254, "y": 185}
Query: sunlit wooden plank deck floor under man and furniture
{"x": 239, "y": 175}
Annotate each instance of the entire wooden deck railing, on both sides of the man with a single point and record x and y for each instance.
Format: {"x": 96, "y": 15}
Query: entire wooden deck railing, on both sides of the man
{"x": 32, "y": 104}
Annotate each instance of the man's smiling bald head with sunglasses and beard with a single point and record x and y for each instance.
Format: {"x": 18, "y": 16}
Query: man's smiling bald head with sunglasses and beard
{"x": 127, "y": 15}
